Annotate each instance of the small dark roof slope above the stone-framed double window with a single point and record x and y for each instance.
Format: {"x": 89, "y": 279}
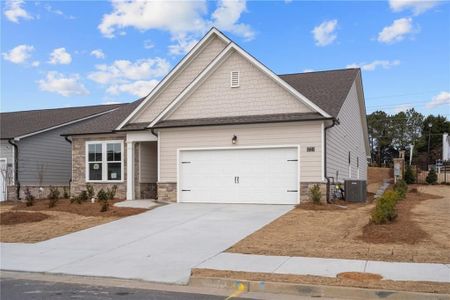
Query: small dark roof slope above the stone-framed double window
{"x": 106, "y": 123}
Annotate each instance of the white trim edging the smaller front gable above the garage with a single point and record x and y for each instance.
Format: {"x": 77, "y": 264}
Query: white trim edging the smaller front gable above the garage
{"x": 216, "y": 61}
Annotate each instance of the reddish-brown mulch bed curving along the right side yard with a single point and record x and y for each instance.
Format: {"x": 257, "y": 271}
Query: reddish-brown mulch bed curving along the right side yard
{"x": 403, "y": 229}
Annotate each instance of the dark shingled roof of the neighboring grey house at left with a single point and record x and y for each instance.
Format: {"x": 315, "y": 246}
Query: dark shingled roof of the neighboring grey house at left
{"x": 25, "y": 123}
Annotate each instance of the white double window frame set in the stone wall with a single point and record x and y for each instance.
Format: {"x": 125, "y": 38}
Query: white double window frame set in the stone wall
{"x": 104, "y": 161}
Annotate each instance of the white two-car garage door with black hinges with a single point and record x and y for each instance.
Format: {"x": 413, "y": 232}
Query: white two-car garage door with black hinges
{"x": 263, "y": 175}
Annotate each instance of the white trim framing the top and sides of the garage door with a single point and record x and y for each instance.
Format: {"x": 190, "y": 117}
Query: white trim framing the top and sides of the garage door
{"x": 297, "y": 146}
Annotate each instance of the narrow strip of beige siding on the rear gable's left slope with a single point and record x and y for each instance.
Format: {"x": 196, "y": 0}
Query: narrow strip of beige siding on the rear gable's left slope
{"x": 180, "y": 81}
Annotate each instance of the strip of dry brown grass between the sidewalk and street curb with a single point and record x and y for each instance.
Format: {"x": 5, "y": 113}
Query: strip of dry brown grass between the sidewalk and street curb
{"x": 361, "y": 281}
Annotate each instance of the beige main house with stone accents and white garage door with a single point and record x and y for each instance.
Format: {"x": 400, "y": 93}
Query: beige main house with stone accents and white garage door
{"x": 222, "y": 127}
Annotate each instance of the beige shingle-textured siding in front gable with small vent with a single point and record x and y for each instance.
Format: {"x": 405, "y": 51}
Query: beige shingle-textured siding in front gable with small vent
{"x": 257, "y": 94}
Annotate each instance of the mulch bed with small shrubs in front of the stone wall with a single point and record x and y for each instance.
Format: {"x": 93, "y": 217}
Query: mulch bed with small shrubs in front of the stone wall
{"x": 86, "y": 209}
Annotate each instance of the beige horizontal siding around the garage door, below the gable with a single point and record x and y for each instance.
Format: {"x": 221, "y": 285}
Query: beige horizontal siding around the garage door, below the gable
{"x": 304, "y": 134}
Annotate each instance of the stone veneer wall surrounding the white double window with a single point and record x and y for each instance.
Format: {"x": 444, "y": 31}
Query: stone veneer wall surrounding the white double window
{"x": 79, "y": 166}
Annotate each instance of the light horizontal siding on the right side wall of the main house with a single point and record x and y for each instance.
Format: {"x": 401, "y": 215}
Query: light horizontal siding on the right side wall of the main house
{"x": 345, "y": 137}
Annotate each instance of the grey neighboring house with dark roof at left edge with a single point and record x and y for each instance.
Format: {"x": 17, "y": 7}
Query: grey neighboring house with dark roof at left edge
{"x": 33, "y": 153}
